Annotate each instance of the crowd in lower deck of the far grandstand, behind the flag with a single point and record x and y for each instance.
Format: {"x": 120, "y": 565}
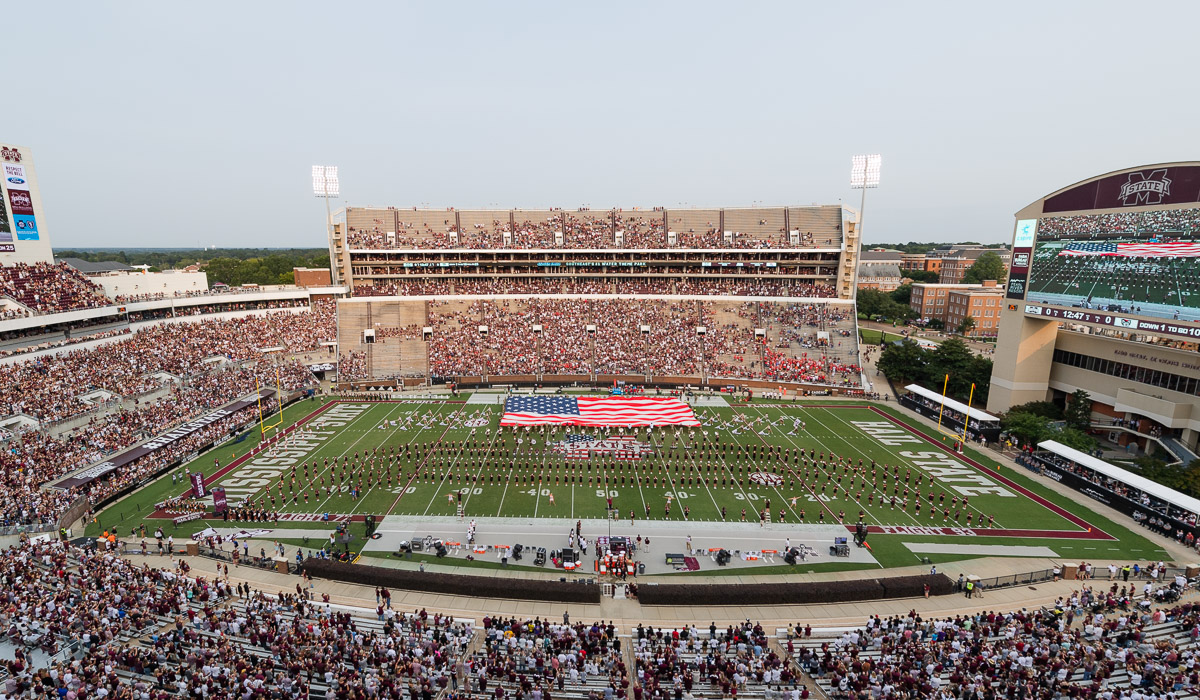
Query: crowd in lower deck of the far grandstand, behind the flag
{"x": 814, "y": 343}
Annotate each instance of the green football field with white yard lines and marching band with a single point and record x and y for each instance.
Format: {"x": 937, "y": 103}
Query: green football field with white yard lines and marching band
{"x": 425, "y": 459}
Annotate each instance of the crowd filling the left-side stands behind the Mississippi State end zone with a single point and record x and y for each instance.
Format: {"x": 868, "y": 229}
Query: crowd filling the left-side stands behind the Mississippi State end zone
{"x": 147, "y": 382}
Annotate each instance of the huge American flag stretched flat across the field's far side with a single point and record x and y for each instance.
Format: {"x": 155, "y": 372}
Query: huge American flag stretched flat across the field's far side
{"x": 596, "y": 411}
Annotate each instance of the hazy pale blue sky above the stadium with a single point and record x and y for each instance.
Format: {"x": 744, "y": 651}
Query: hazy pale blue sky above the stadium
{"x": 196, "y": 124}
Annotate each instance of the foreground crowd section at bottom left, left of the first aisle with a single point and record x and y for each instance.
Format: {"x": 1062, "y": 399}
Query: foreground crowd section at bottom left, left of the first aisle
{"x": 148, "y": 632}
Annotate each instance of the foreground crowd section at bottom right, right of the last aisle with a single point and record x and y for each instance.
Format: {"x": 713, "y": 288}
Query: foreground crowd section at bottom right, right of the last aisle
{"x": 1108, "y": 643}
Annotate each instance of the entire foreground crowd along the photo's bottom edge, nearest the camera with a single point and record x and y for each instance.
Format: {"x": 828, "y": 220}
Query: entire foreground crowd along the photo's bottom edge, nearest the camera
{"x": 142, "y": 632}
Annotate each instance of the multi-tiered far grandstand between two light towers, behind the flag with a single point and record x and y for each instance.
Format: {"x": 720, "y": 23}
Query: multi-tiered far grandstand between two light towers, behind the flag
{"x": 668, "y": 296}
